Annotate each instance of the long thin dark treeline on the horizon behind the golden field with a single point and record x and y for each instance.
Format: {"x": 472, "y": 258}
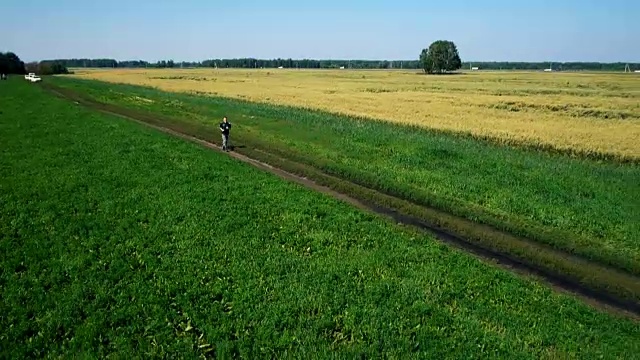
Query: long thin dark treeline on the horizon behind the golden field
{"x": 248, "y": 63}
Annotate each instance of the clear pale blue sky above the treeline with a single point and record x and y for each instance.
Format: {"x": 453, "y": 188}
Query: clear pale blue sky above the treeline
{"x": 541, "y": 30}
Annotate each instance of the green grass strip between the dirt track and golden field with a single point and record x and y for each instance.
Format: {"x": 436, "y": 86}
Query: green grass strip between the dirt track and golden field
{"x": 583, "y": 206}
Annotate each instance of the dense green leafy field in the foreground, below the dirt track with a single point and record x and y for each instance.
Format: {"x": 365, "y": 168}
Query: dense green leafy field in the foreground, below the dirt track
{"x": 116, "y": 239}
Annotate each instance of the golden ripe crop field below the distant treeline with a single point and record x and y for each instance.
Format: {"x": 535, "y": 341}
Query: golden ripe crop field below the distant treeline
{"x": 588, "y": 112}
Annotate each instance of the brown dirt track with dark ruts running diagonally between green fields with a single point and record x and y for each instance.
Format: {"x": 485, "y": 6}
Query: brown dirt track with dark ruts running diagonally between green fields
{"x": 601, "y": 286}
